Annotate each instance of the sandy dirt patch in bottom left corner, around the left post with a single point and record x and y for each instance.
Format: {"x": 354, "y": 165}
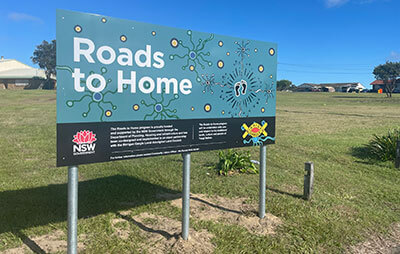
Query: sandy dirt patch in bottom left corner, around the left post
{"x": 50, "y": 243}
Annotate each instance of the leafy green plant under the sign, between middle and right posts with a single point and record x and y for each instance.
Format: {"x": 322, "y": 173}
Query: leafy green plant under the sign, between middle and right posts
{"x": 231, "y": 161}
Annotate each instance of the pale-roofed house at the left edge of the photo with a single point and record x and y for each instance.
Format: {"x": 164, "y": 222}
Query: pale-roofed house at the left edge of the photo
{"x": 17, "y": 75}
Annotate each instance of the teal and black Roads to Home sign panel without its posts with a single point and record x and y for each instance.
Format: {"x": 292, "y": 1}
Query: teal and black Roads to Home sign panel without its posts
{"x": 127, "y": 89}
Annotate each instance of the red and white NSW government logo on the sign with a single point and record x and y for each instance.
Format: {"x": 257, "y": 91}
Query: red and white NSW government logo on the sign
{"x": 84, "y": 143}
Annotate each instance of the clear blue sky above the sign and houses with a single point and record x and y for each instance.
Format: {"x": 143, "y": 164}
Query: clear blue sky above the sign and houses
{"x": 318, "y": 40}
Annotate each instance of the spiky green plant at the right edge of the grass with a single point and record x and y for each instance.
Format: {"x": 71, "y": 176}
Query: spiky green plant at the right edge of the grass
{"x": 384, "y": 147}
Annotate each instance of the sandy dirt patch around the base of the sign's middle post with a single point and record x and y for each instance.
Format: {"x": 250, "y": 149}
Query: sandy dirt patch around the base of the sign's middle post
{"x": 163, "y": 235}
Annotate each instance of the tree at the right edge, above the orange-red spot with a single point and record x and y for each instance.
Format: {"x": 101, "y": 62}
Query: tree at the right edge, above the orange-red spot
{"x": 388, "y": 73}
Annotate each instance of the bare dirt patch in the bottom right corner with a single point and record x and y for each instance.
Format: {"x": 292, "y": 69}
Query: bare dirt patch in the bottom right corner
{"x": 389, "y": 244}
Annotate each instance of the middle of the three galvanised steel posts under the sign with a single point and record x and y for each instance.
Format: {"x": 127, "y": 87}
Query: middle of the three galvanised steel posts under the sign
{"x": 185, "y": 195}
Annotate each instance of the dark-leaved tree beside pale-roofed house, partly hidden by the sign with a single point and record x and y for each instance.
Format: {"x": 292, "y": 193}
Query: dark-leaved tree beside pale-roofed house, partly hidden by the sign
{"x": 45, "y": 56}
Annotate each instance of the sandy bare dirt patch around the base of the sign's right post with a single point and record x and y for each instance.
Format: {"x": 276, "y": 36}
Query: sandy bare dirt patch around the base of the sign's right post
{"x": 233, "y": 211}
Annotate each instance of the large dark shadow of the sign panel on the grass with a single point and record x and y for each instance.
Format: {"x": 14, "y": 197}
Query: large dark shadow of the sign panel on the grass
{"x": 26, "y": 208}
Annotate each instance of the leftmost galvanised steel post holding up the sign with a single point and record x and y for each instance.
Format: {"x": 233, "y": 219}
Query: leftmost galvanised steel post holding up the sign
{"x": 72, "y": 209}
